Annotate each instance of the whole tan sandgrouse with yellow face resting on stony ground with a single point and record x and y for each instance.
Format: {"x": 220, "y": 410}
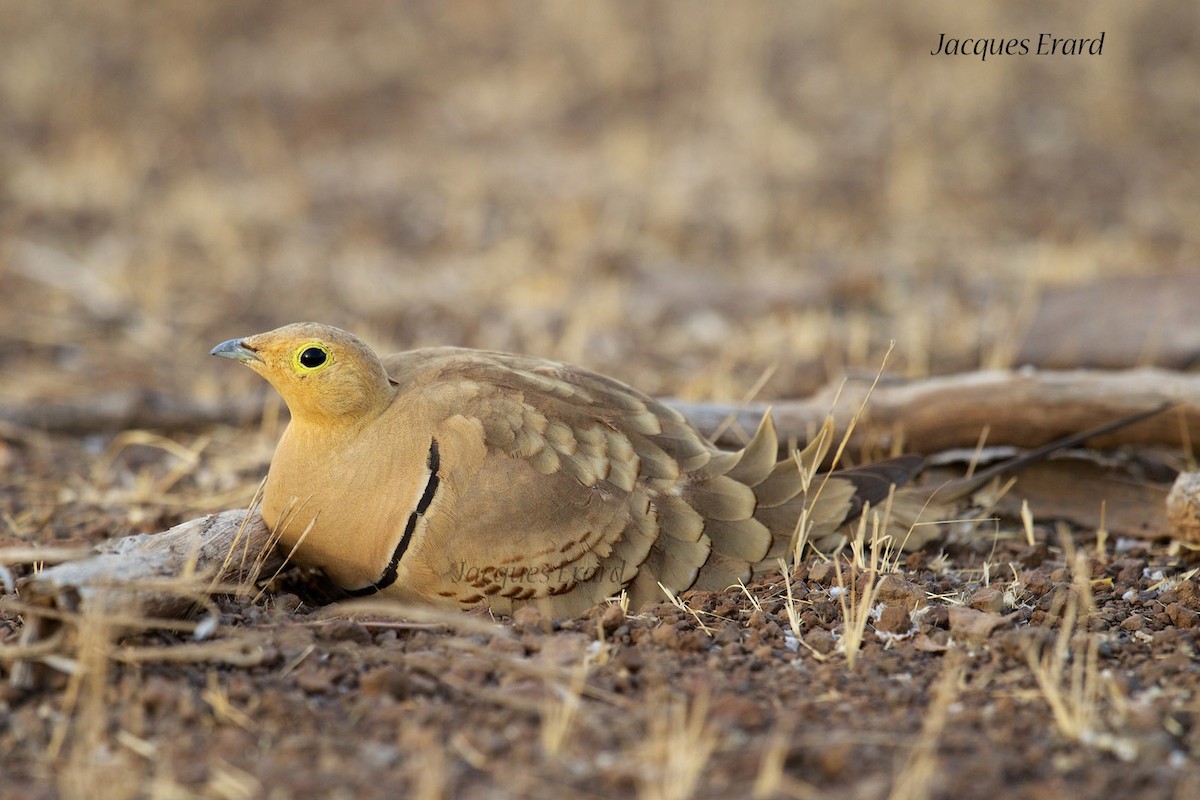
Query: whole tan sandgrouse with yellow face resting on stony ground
{"x": 469, "y": 478}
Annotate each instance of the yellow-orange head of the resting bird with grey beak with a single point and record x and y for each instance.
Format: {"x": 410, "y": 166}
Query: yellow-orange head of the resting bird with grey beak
{"x": 325, "y": 375}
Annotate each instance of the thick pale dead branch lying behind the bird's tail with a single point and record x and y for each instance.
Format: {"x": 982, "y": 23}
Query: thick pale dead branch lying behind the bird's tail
{"x": 1019, "y": 408}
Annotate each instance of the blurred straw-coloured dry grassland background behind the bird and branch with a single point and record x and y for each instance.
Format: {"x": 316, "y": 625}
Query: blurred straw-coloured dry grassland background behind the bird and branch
{"x": 689, "y": 196}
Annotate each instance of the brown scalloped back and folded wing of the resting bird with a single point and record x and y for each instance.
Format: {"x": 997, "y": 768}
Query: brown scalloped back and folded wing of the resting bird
{"x": 587, "y": 488}
